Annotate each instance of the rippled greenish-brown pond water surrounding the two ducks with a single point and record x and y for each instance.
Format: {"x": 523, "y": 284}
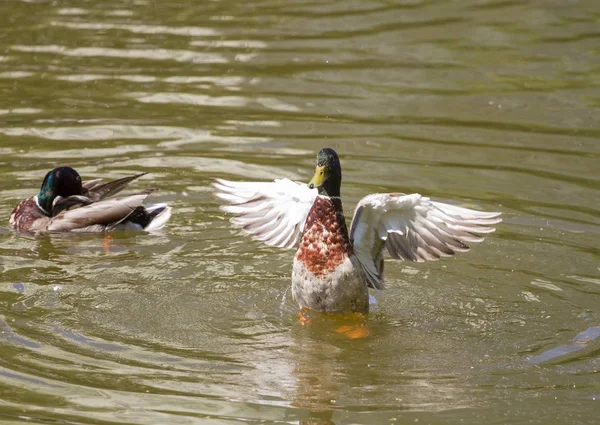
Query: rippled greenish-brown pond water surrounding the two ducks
{"x": 493, "y": 105}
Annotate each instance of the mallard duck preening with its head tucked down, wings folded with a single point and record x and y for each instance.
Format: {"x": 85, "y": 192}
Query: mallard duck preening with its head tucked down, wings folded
{"x": 65, "y": 204}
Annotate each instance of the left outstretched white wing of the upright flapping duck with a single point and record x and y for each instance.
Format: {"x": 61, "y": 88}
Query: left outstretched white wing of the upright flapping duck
{"x": 272, "y": 212}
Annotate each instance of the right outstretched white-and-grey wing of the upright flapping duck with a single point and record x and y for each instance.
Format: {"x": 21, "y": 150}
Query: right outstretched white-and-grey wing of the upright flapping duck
{"x": 412, "y": 227}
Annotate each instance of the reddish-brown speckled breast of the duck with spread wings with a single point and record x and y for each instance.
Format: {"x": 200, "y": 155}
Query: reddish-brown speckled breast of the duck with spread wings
{"x": 325, "y": 243}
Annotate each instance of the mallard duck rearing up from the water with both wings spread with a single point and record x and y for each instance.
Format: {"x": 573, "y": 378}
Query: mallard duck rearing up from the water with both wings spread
{"x": 334, "y": 268}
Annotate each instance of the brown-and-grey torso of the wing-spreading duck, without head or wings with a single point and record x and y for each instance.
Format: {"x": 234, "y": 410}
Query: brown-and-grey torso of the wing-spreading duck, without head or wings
{"x": 326, "y": 276}
